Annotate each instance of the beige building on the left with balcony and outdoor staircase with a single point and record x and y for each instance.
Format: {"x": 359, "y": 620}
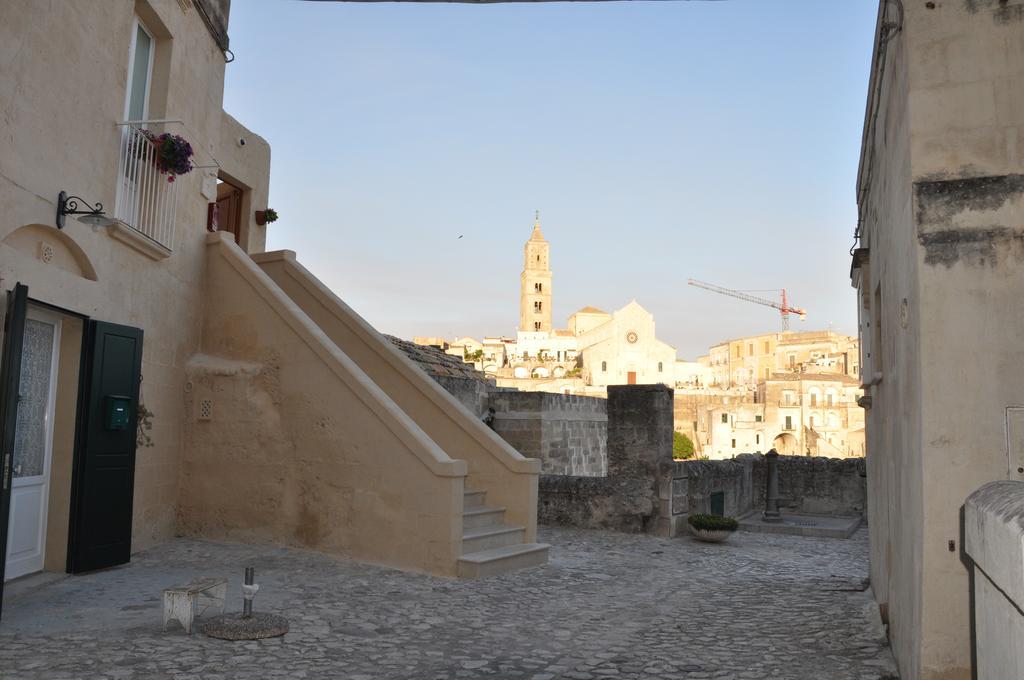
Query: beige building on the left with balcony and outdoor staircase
{"x": 163, "y": 375}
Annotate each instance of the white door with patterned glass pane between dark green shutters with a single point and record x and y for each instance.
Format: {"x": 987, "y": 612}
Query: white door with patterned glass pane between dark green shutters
{"x": 33, "y": 445}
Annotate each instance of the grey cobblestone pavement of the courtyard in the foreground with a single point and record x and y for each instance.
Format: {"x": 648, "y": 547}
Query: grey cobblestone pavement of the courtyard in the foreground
{"x": 608, "y": 606}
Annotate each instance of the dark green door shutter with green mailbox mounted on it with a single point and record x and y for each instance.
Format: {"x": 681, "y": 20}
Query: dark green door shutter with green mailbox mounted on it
{"x": 104, "y": 481}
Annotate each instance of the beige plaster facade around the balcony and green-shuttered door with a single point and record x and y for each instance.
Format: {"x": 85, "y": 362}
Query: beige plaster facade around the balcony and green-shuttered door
{"x": 63, "y": 82}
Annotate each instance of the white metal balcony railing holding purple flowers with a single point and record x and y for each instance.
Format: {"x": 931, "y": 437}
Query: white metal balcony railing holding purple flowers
{"x": 147, "y": 201}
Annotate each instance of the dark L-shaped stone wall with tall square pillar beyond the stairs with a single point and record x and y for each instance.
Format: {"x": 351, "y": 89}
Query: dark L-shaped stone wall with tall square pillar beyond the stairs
{"x": 636, "y": 495}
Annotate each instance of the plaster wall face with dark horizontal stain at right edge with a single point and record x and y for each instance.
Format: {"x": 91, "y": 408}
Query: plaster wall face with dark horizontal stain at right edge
{"x": 967, "y": 80}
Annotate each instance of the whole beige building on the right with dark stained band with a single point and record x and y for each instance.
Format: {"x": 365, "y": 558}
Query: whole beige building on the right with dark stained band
{"x": 938, "y": 276}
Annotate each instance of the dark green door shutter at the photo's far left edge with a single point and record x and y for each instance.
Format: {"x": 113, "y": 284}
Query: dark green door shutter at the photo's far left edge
{"x": 11, "y": 376}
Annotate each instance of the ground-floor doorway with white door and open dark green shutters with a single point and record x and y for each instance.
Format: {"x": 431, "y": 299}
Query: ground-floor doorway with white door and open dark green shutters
{"x": 69, "y": 403}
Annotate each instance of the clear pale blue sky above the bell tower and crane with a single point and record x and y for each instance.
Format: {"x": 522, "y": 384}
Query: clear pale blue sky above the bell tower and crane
{"x": 661, "y": 142}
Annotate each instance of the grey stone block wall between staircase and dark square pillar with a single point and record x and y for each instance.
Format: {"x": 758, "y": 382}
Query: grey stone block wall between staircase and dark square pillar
{"x": 568, "y": 434}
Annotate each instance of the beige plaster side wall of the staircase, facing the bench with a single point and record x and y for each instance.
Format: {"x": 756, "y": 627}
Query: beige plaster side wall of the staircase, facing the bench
{"x": 303, "y": 448}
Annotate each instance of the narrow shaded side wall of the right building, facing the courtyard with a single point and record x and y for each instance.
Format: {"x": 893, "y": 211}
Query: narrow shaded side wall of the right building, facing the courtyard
{"x": 893, "y": 423}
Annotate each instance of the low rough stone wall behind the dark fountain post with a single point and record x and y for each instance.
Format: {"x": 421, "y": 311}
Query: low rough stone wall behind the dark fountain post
{"x": 807, "y": 485}
